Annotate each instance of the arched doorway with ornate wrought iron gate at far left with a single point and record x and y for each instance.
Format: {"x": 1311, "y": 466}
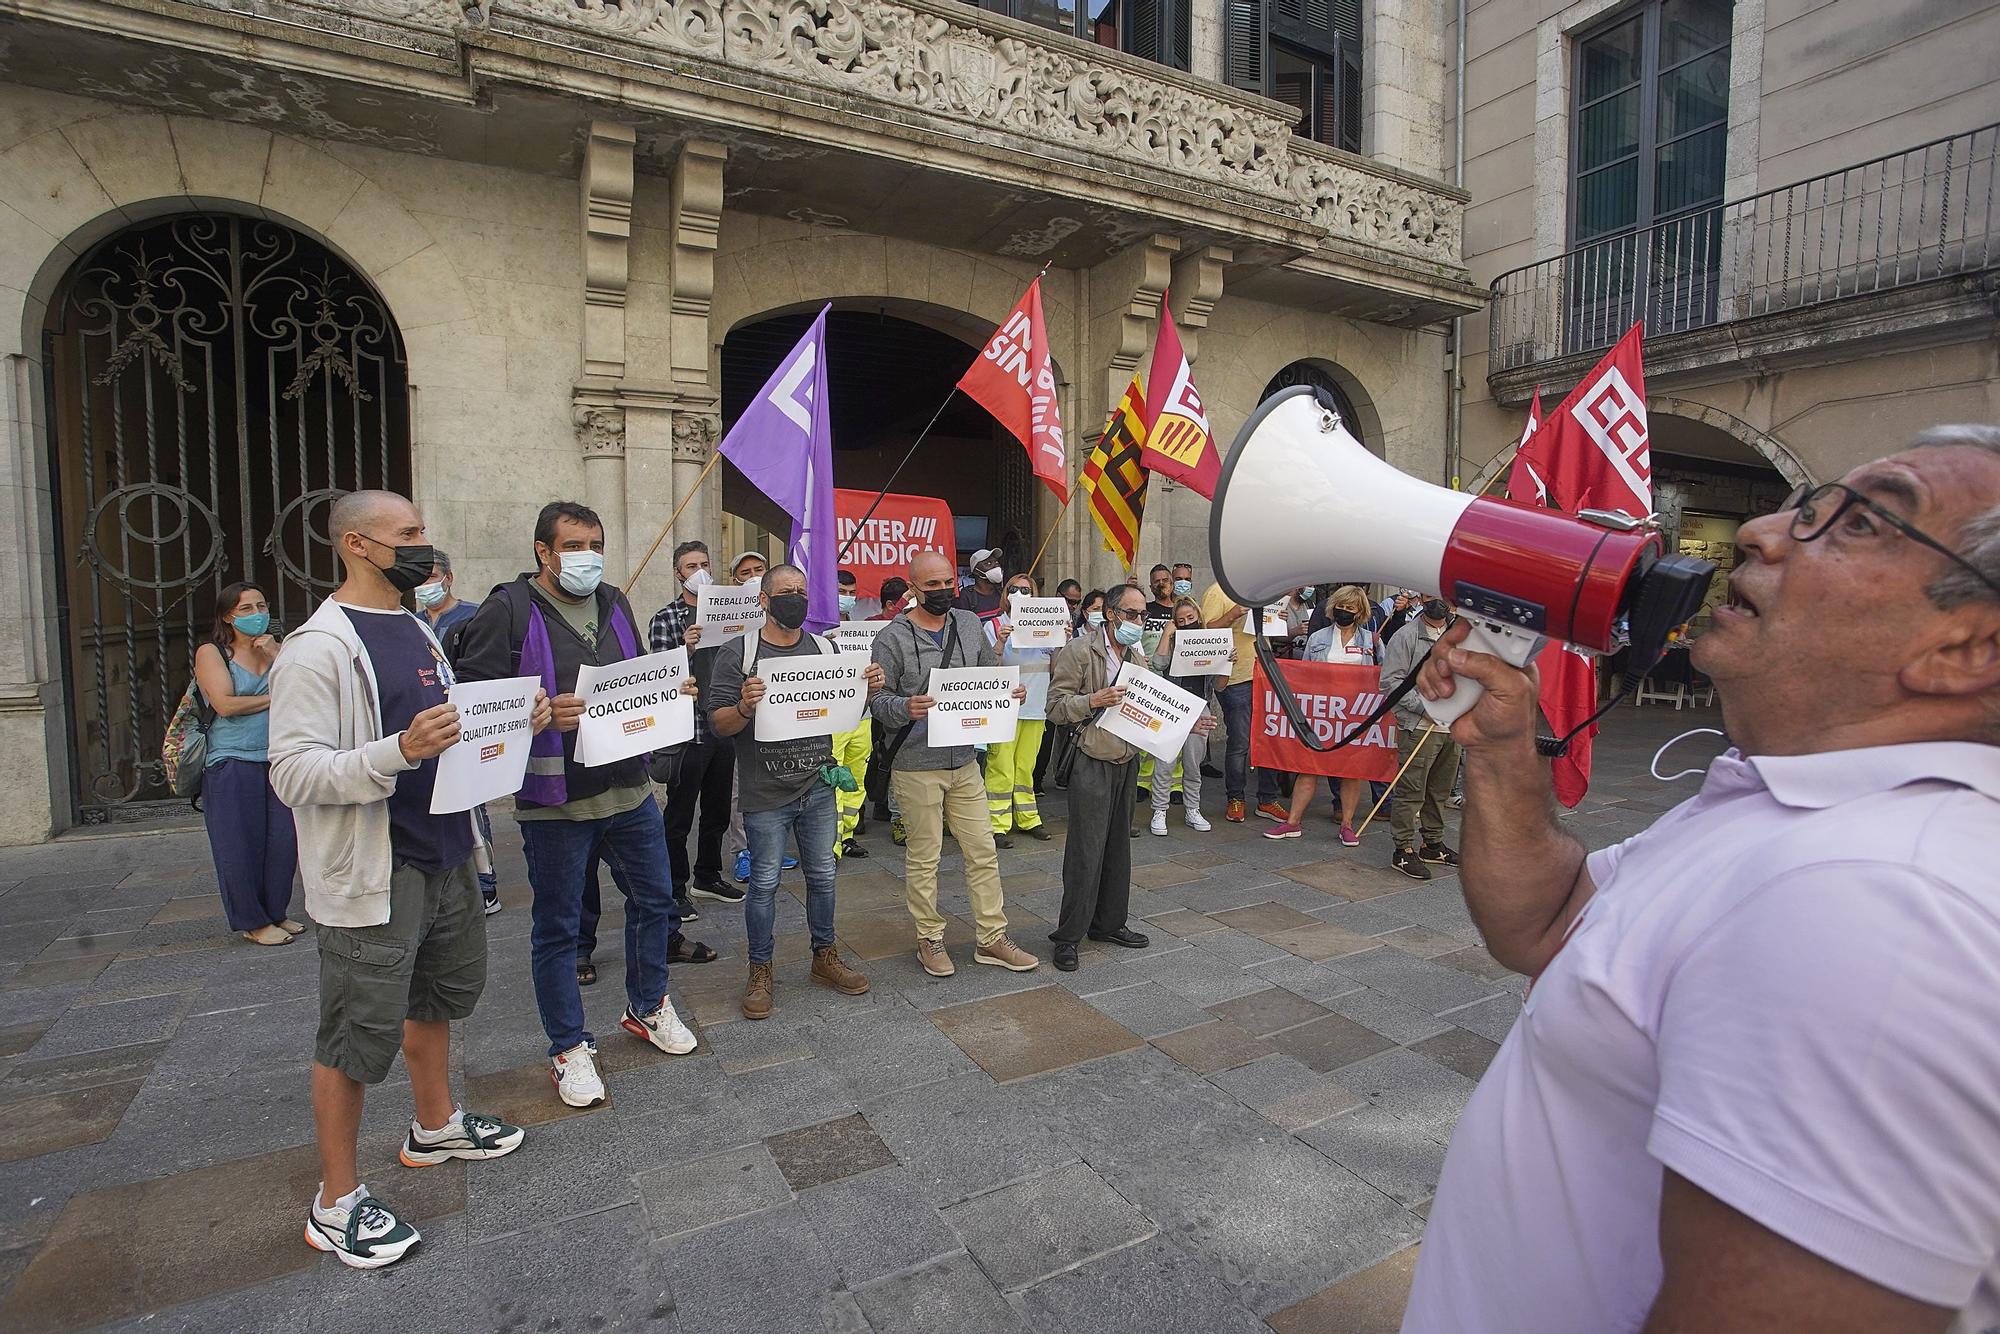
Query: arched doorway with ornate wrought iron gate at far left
{"x": 213, "y": 385}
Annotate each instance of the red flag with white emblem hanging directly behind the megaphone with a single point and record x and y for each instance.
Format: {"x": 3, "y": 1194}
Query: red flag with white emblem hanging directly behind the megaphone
{"x": 1593, "y": 453}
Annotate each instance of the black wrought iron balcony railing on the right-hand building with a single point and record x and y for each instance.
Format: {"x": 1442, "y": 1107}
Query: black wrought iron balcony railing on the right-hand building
{"x": 1911, "y": 217}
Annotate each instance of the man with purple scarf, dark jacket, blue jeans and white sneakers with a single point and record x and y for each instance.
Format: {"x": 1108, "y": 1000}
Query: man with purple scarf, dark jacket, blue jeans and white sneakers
{"x": 549, "y": 625}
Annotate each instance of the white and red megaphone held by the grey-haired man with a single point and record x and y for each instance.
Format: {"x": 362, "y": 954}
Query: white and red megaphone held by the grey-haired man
{"x": 1301, "y": 501}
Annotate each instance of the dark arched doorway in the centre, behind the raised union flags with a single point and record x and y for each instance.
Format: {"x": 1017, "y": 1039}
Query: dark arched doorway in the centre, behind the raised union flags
{"x": 885, "y": 379}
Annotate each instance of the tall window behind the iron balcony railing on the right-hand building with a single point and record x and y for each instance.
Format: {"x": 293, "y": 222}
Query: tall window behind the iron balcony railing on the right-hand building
{"x": 1651, "y": 121}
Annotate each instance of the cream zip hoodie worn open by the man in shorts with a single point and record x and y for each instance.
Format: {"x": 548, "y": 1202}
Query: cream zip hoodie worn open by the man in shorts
{"x": 333, "y": 767}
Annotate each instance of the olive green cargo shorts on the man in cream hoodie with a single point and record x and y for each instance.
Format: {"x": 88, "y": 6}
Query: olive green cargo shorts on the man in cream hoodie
{"x": 427, "y": 963}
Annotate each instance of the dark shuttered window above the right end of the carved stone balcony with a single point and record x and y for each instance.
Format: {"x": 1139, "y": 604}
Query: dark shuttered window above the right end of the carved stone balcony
{"x": 1303, "y": 53}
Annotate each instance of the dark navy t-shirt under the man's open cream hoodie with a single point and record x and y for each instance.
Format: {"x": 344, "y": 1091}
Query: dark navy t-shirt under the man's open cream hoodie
{"x": 411, "y": 677}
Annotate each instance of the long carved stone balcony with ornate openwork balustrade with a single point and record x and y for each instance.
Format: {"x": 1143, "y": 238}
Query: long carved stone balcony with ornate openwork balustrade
{"x": 907, "y": 117}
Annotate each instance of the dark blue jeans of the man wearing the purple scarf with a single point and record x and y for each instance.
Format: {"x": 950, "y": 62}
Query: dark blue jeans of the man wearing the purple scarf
{"x": 559, "y": 857}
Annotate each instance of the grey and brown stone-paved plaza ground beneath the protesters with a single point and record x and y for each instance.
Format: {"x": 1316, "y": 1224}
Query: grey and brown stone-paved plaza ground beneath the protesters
{"x": 1239, "y": 1129}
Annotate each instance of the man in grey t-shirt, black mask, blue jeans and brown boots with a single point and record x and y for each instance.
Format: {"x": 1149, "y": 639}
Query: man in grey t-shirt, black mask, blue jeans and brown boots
{"x": 783, "y": 789}
